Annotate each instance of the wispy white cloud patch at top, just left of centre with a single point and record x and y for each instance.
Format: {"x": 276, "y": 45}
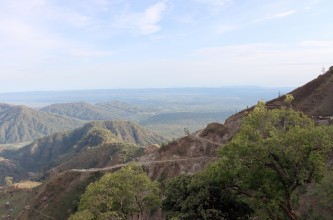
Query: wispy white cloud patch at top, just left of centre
{"x": 143, "y": 23}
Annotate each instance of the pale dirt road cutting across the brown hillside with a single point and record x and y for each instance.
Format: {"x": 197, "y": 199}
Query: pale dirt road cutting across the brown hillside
{"x": 142, "y": 163}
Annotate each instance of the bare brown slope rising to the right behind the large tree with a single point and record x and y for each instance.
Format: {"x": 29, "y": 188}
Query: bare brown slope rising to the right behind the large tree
{"x": 314, "y": 99}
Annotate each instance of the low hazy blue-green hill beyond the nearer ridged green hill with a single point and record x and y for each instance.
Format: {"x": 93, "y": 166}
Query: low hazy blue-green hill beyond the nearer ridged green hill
{"x": 100, "y": 111}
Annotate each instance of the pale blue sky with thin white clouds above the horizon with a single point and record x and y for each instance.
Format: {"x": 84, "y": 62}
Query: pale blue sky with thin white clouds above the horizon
{"x": 48, "y": 45}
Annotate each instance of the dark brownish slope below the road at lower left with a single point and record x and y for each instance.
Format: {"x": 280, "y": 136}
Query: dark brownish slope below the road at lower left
{"x": 58, "y": 197}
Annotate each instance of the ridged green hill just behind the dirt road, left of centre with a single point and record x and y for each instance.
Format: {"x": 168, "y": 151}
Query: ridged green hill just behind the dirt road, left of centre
{"x": 95, "y": 140}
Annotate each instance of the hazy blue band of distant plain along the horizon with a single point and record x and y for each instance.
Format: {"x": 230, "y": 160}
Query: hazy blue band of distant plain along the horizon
{"x": 205, "y": 98}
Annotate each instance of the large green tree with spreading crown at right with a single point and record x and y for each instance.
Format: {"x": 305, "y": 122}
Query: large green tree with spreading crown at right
{"x": 275, "y": 153}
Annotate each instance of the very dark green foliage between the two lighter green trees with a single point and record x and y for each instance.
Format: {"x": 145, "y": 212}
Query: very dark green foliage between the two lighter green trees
{"x": 196, "y": 197}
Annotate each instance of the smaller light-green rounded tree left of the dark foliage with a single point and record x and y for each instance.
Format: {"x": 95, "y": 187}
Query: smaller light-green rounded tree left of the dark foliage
{"x": 120, "y": 195}
